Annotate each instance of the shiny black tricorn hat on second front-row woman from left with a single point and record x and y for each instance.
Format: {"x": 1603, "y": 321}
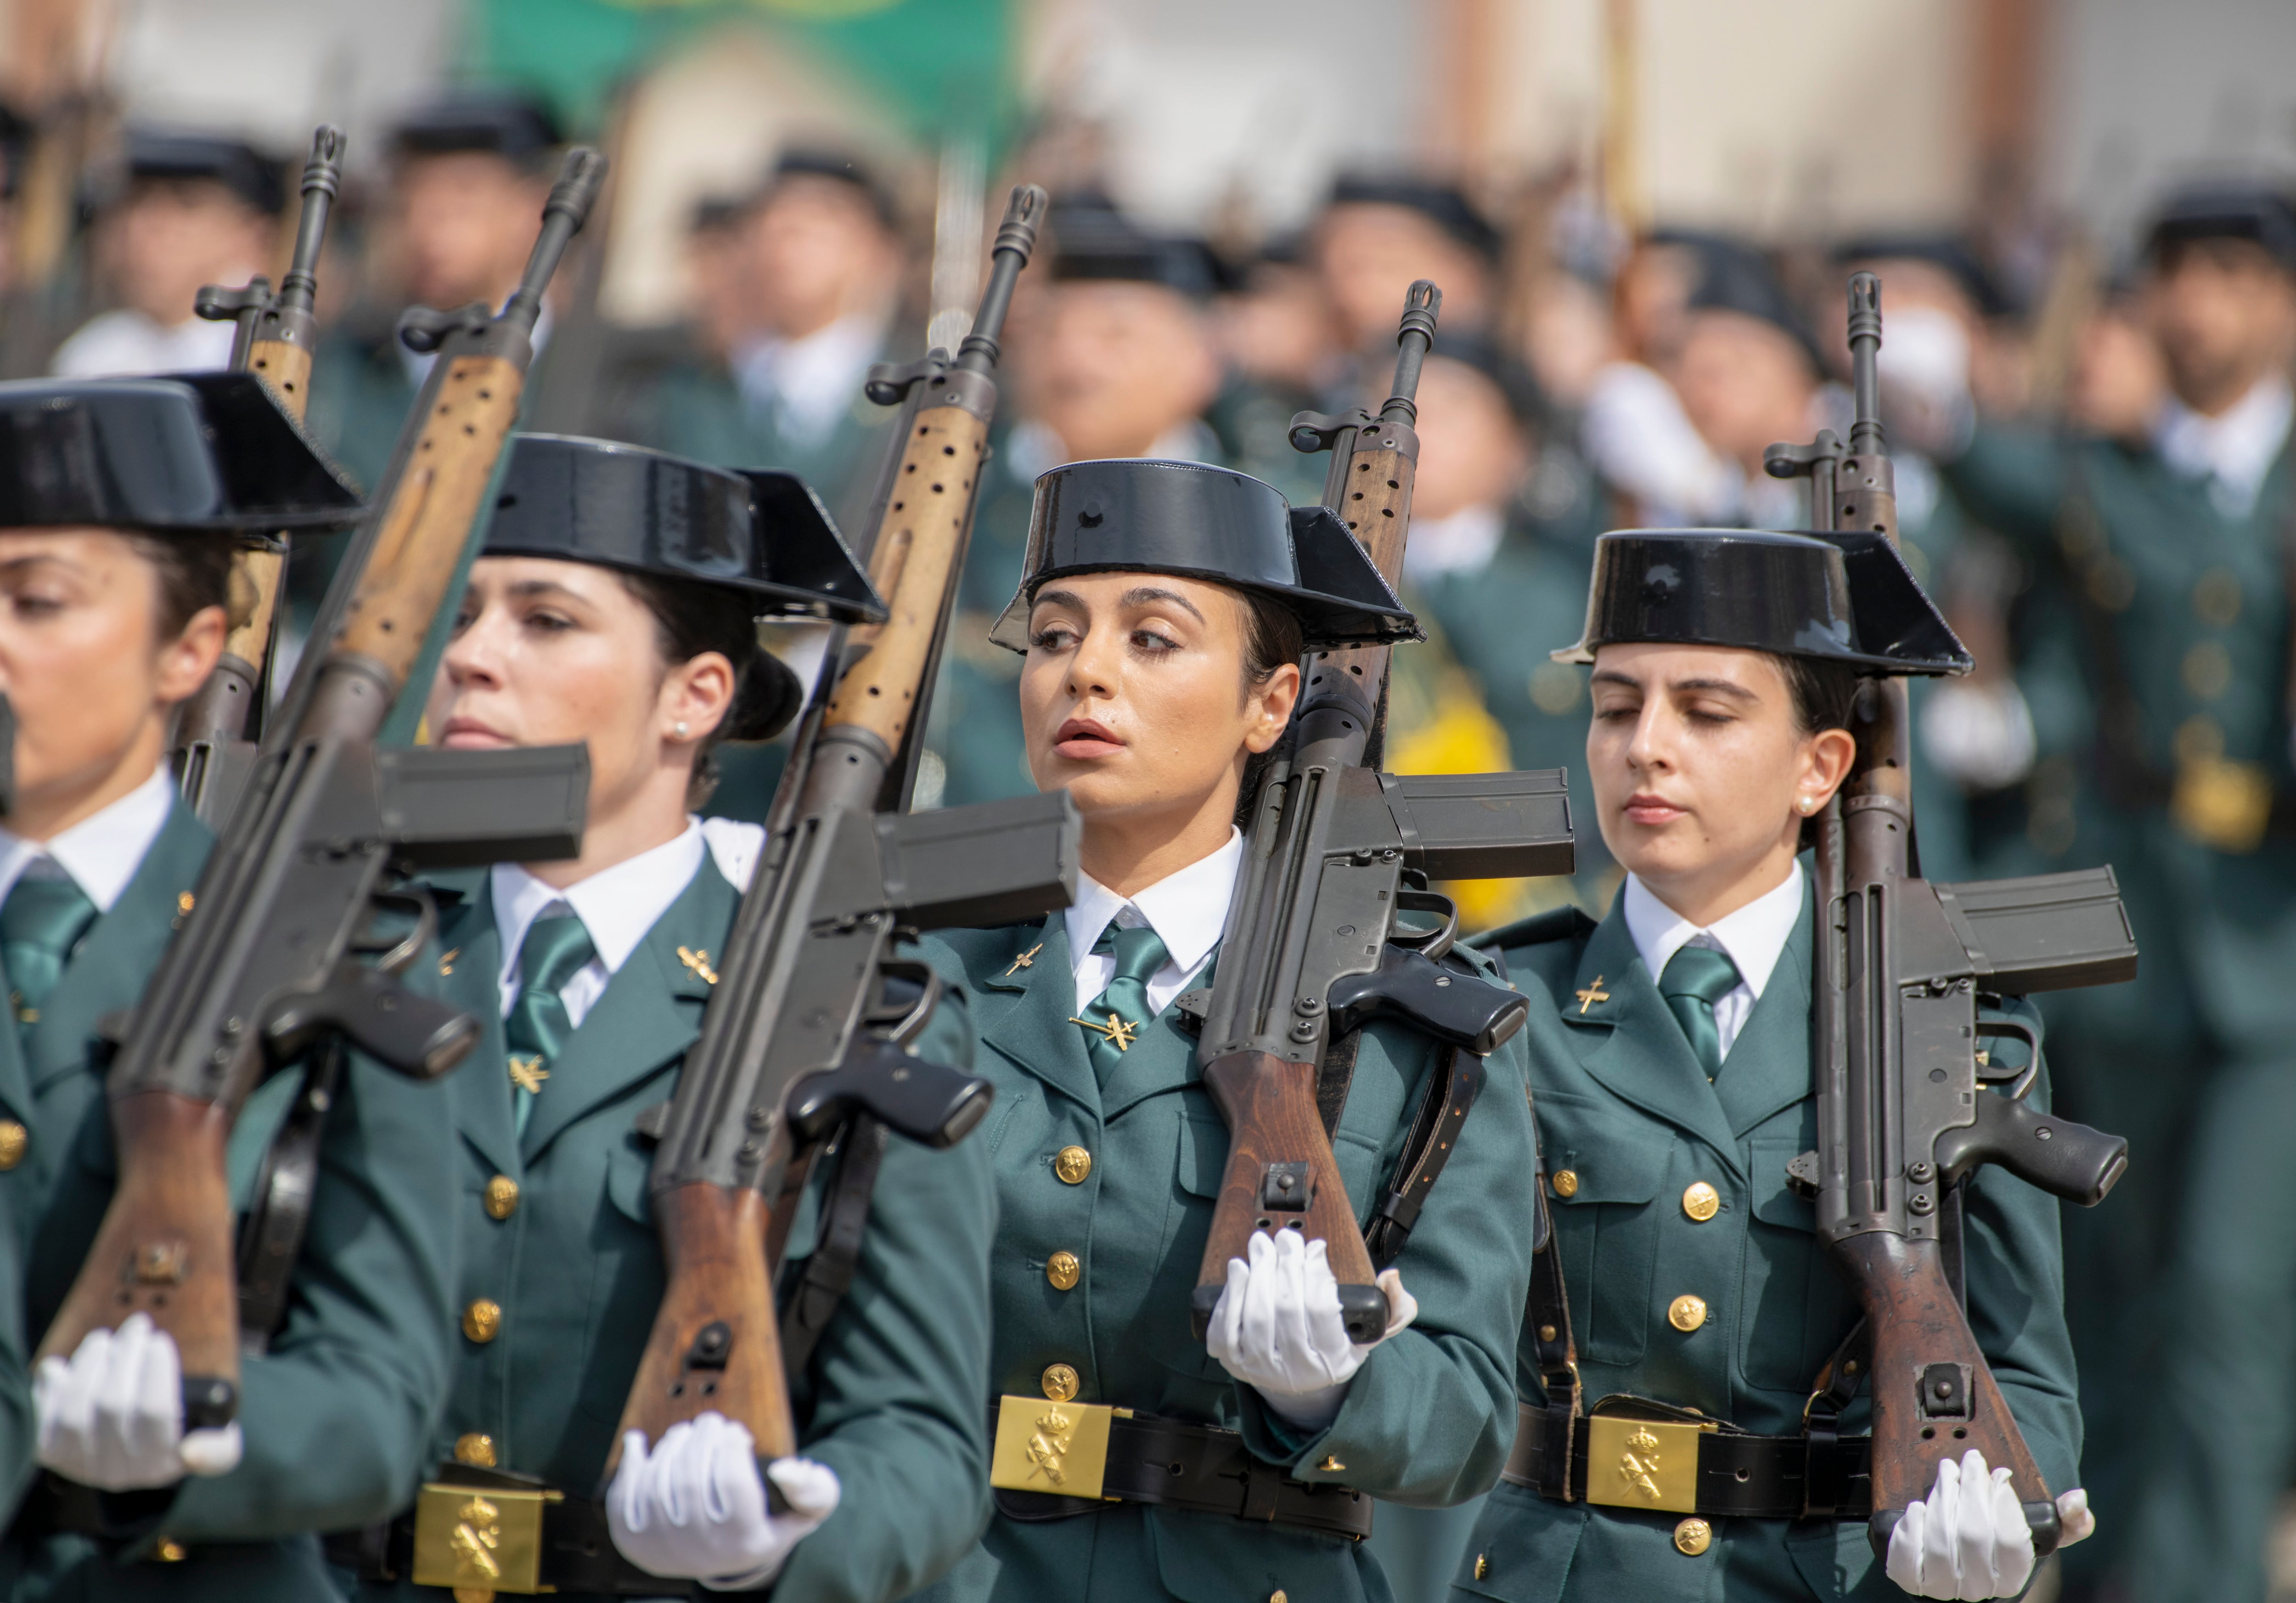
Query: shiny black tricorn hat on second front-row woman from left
{"x": 646, "y": 511}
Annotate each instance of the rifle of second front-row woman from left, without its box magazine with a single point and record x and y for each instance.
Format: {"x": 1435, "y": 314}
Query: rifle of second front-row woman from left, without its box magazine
{"x": 812, "y": 940}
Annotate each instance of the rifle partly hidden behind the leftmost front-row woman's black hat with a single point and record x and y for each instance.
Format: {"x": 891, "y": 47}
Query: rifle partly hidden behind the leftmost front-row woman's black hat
{"x": 274, "y": 341}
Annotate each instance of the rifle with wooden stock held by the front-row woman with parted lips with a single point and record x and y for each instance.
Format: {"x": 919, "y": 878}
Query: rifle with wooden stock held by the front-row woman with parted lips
{"x": 1337, "y": 860}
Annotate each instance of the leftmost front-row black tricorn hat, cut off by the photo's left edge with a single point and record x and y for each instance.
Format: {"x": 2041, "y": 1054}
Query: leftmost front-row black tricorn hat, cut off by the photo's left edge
{"x": 183, "y": 454}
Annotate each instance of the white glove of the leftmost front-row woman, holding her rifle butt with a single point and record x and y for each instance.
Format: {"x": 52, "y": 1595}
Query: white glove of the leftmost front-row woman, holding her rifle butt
{"x": 114, "y": 1414}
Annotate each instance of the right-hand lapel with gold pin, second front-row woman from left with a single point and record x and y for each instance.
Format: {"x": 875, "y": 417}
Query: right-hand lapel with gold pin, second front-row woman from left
{"x": 651, "y": 1012}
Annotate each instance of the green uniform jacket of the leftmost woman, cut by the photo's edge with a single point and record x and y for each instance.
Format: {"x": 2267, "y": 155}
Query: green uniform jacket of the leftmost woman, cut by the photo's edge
{"x": 334, "y": 1414}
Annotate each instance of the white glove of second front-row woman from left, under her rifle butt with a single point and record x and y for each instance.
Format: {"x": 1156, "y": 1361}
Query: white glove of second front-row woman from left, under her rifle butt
{"x": 697, "y": 1508}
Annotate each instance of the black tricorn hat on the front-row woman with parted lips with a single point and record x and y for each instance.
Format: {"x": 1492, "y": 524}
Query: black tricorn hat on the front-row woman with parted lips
{"x": 1204, "y": 522}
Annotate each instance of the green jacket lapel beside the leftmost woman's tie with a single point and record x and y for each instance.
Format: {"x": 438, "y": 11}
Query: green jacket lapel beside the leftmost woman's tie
{"x": 123, "y": 947}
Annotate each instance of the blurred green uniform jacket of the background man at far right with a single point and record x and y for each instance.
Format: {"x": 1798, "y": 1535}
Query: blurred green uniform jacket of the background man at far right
{"x": 2194, "y": 610}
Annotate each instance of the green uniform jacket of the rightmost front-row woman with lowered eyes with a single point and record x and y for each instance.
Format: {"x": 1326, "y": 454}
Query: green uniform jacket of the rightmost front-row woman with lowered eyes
{"x": 1627, "y": 1110}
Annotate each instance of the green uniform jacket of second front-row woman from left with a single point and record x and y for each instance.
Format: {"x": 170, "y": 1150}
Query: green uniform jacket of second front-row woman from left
{"x": 557, "y": 1232}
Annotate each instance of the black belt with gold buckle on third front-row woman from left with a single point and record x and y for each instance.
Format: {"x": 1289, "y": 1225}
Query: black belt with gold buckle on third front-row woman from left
{"x": 1064, "y": 1459}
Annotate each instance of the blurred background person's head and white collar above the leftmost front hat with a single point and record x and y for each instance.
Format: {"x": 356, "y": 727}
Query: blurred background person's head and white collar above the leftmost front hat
{"x": 187, "y": 210}
